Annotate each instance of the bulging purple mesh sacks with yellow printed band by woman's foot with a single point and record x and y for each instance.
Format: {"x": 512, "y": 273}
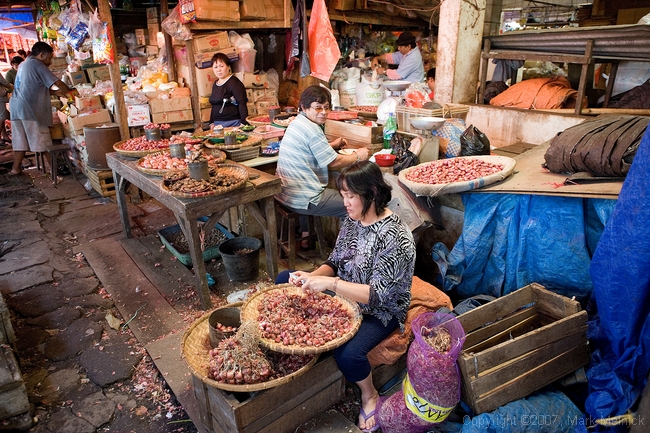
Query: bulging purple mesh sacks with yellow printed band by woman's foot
{"x": 431, "y": 388}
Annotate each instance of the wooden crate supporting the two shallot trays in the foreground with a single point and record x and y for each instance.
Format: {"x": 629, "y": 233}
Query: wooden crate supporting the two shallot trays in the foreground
{"x": 276, "y": 410}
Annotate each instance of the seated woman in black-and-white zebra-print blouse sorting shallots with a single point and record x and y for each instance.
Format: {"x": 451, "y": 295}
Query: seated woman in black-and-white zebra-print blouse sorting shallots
{"x": 372, "y": 263}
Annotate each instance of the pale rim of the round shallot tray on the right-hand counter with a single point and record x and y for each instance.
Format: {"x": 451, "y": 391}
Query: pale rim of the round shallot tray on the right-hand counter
{"x": 433, "y": 190}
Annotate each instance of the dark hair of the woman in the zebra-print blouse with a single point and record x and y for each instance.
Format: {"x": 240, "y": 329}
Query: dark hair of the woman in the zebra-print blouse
{"x": 365, "y": 179}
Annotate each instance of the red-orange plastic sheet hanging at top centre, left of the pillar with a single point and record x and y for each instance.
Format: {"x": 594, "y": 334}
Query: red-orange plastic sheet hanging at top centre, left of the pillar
{"x": 326, "y": 53}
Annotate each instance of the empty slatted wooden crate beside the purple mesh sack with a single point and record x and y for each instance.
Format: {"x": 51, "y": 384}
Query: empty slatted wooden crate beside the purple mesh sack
{"x": 518, "y": 344}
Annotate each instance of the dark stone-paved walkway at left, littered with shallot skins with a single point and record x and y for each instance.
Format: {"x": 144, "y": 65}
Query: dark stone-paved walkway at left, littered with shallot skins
{"x": 81, "y": 374}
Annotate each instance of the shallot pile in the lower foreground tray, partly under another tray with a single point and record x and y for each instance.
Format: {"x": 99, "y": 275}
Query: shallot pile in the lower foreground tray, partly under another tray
{"x": 239, "y": 360}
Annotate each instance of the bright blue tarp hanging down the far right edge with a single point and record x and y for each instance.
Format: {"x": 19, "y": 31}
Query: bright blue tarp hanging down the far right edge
{"x": 620, "y": 271}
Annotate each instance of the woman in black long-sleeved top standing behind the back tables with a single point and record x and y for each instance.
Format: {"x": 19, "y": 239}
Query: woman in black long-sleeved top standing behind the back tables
{"x": 228, "y": 96}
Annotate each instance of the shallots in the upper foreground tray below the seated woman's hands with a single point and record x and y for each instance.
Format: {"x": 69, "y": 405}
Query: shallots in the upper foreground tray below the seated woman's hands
{"x": 302, "y": 319}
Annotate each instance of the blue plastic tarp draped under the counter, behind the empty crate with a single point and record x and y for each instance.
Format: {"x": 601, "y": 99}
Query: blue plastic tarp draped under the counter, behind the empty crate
{"x": 510, "y": 240}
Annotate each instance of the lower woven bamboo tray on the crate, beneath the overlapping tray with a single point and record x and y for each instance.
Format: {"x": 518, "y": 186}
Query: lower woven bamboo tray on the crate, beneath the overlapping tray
{"x": 195, "y": 349}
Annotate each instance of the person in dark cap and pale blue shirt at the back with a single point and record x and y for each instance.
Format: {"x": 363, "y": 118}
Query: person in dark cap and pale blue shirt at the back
{"x": 407, "y": 57}
